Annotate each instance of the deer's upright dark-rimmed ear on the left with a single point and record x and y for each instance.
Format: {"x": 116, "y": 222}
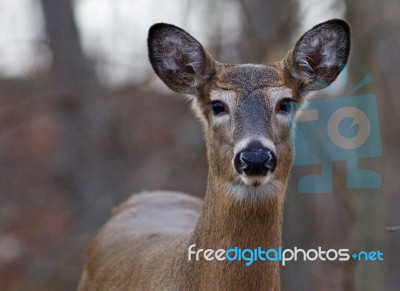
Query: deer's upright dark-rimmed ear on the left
{"x": 178, "y": 59}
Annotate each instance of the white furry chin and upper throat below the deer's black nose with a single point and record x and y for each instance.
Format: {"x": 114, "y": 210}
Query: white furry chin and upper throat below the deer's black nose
{"x": 254, "y": 189}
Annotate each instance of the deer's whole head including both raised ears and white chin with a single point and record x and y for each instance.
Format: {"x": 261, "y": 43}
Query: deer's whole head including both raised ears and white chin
{"x": 247, "y": 109}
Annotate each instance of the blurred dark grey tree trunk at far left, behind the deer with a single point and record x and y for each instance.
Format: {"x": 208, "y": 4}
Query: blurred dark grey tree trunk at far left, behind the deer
{"x": 77, "y": 92}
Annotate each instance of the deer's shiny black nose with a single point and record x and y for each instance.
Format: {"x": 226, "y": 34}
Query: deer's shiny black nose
{"x": 255, "y": 160}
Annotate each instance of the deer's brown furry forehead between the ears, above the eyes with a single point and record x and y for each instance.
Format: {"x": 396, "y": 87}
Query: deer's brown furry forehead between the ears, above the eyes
{"x": 248, "y": 78}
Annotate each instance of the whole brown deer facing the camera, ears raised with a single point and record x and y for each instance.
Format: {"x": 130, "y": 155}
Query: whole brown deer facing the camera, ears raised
{"x": 246, "y": 111}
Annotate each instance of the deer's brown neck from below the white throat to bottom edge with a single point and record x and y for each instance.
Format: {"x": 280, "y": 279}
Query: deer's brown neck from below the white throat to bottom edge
{"x": 227, "y": 223}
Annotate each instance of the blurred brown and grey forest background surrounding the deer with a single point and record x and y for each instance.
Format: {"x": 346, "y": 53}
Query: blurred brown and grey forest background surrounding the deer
{"x": 84, "y": 122}
